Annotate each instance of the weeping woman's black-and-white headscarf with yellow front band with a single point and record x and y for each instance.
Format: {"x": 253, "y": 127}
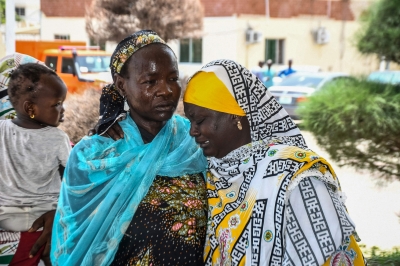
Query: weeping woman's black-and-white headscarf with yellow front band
{"x": 229, "y": 79}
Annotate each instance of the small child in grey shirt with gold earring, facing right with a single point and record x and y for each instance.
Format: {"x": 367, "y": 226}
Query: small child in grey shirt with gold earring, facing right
{"x": 33, "y": 154}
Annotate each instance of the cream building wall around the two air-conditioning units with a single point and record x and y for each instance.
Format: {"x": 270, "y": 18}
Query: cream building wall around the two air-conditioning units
{"x": 224, "y": 37}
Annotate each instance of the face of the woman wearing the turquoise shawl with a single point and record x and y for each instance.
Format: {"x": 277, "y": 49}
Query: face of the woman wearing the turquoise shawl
{"x": 151, "y": 87}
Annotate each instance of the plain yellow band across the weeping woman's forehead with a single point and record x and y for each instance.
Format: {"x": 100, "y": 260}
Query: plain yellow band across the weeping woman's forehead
{"x": 205, "y": 89}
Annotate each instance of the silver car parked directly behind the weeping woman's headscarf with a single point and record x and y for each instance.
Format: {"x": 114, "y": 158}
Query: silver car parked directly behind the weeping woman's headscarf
{"x": 298, "y": 86}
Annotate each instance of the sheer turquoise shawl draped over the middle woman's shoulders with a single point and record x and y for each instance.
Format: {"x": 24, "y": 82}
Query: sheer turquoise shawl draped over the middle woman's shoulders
{"x": 105, "y": 181}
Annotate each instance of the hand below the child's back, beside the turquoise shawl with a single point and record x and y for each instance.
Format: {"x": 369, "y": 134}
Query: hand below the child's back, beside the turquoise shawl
{"x": 45, "y": 221}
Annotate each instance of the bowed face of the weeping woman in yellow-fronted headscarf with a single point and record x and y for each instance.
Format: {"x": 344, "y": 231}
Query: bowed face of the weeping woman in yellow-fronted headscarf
{"x": 217, "y": 133}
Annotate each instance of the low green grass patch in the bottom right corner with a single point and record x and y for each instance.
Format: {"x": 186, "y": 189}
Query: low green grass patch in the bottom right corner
{"x": 377, "y": 257}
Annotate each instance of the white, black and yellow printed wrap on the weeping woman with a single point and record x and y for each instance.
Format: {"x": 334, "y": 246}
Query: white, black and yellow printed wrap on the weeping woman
{"x": 273, "y": 201}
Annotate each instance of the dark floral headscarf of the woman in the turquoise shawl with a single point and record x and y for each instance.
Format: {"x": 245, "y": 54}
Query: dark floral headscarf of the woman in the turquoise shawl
{"x": 111, "y": 102}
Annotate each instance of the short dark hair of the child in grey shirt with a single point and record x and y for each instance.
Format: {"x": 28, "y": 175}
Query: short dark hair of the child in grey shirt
{"x": 24, "y": 80}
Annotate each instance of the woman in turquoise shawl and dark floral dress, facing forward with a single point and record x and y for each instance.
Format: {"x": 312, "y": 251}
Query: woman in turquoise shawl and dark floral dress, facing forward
{"x": 139, "y": 200}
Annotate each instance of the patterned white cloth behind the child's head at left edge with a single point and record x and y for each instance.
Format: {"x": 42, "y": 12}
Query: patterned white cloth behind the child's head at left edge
{"x": 8, "y": 64}
